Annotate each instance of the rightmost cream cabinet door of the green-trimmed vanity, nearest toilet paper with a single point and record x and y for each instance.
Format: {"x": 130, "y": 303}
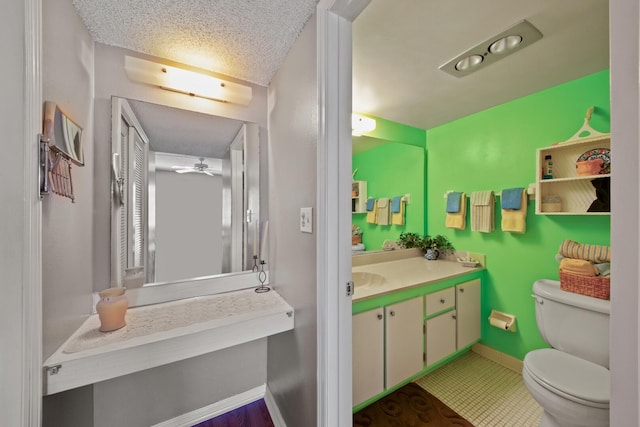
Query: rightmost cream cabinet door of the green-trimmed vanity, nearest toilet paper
{"x": 468, "y": 308}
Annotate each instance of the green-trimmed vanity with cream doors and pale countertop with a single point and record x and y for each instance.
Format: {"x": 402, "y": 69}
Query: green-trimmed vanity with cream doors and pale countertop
{"x": 410, "y": 316}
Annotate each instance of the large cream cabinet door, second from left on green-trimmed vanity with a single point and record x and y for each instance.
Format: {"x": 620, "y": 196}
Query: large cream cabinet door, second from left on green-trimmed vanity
{"x": 404, "y": 340}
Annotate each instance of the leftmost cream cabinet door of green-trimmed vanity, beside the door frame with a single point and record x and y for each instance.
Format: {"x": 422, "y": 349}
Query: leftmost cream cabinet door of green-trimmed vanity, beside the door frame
{"x": 367, "y": 354}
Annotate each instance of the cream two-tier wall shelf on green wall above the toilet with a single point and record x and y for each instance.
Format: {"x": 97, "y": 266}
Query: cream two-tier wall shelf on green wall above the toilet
{"x": 576, "y": 192}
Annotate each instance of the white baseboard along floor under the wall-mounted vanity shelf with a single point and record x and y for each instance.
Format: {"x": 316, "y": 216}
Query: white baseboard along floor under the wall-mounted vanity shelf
{"x": 218, "y": 408}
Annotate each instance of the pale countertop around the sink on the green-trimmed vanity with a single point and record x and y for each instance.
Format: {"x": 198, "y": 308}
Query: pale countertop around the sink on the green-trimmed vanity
{"x": 408, "y": 272}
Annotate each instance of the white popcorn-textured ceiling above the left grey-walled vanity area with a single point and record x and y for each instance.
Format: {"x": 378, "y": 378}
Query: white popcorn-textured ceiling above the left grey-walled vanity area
{"x": 245, "y": 39}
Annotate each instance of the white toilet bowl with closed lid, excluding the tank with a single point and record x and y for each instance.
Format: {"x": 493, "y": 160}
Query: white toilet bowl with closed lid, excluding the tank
{"x": 573, "y": 392}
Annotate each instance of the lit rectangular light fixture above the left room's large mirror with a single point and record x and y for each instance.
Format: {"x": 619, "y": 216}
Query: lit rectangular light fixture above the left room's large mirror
{"x": 185, "y": 81}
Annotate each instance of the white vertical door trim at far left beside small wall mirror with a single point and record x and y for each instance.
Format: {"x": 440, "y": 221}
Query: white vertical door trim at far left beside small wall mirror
{"x": 31, "y": 411}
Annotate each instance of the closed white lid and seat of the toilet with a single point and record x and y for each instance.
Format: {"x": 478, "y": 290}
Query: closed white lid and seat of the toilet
{"x": 574, "y": 378}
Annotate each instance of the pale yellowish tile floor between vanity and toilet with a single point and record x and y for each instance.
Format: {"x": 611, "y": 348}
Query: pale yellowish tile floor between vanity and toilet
{"x": 484, "y": 392}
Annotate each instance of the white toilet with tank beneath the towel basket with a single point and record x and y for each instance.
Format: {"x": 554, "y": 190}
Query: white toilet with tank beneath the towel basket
{"x": 571, "y": 380}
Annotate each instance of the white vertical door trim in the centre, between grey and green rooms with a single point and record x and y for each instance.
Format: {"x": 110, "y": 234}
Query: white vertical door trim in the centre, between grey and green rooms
{"x": 334, "y": 211}
